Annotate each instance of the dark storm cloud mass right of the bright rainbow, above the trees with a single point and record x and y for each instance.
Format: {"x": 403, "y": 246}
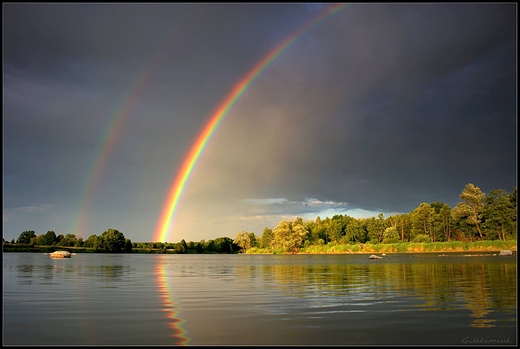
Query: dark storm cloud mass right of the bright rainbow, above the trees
{"x": 426, "y": 101}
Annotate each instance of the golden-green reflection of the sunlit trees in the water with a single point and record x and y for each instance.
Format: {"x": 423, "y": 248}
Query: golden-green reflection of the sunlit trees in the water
{"x": 430, "y": 286}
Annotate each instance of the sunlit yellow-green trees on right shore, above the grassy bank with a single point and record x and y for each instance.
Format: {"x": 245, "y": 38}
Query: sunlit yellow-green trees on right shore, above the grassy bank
{"x": 475, "y": 217}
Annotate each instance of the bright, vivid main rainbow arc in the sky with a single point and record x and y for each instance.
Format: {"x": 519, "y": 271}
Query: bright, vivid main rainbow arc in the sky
{"x": 236, "y": 92}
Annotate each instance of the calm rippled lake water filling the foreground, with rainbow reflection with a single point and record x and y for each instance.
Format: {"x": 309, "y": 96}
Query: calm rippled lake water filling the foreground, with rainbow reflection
{"x": 138, "y": 299}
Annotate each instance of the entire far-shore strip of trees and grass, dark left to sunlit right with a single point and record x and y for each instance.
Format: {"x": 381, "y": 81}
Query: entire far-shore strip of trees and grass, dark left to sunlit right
{"x": 477, "y": 223}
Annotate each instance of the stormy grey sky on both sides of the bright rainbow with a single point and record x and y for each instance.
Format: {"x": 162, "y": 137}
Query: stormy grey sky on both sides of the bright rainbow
{"x": 376, "y": 109}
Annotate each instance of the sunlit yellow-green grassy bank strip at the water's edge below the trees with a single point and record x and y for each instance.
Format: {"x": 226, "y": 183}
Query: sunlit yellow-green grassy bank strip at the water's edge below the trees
{"x": 407, "y": 247}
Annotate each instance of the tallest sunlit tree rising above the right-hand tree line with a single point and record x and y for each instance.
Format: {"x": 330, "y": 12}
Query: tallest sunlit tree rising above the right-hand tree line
{"x": 472, "y": 206}
